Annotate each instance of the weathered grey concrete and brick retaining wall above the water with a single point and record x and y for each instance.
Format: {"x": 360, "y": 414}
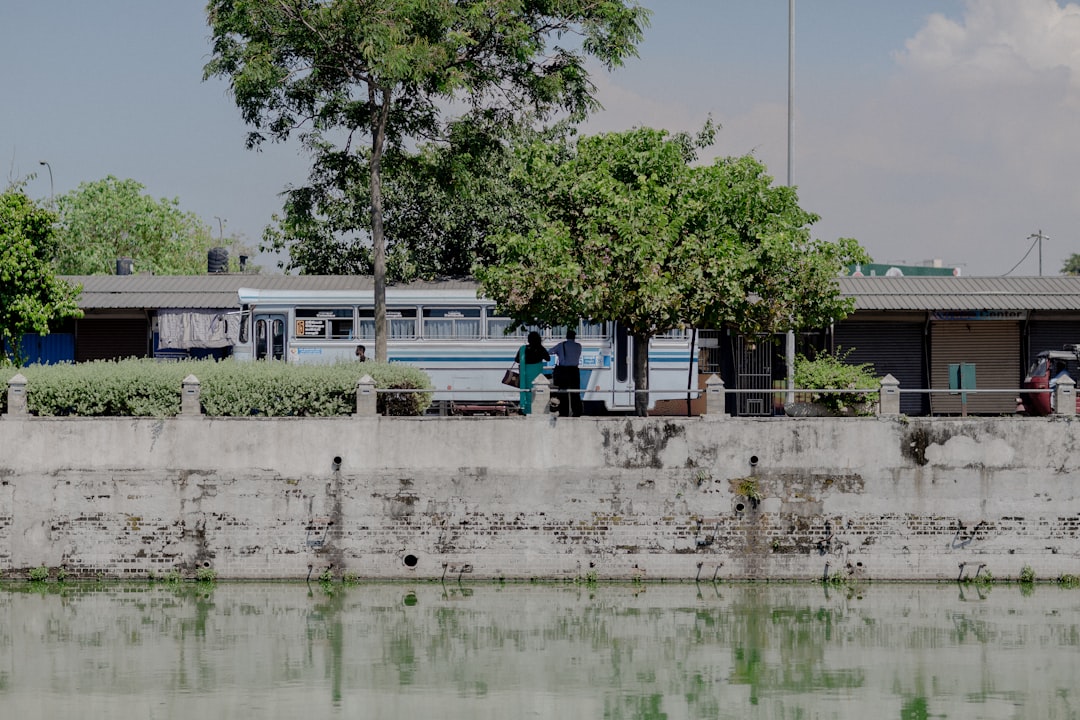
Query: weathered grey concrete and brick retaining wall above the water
{"x": 514, "y": 498}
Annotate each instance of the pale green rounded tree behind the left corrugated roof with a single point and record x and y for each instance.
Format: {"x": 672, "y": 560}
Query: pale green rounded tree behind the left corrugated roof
{"x": 109, "y": 220}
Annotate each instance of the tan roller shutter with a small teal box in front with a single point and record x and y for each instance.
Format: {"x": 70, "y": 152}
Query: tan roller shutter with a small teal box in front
{"x": 994, "y": 348}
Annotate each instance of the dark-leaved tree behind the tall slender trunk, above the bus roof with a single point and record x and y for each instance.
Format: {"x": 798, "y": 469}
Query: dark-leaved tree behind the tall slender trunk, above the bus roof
{"x": 440, "y": 205}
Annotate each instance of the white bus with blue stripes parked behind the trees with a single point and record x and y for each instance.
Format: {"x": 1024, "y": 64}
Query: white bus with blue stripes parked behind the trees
{"x": 457, "y": 338}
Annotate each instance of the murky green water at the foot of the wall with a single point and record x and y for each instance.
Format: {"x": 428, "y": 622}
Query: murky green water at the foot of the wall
{"x": 389, "y": 651}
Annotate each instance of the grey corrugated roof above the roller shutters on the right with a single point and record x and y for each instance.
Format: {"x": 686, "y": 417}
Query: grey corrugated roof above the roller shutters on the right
{"x": 929, "y": 293}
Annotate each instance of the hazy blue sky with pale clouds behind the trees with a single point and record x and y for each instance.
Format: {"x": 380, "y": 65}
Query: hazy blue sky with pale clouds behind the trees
{"x": 927, "y": 130}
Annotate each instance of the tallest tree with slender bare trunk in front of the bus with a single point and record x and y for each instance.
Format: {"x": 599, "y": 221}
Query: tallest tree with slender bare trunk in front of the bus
{"x": 390, "y": 71}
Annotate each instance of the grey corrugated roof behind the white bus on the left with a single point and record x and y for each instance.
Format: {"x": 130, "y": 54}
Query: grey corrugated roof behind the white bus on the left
{"x": 215, "y": 291}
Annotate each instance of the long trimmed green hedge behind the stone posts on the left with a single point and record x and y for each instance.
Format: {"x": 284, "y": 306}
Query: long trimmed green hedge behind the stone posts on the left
{"x": 145, "y": 388}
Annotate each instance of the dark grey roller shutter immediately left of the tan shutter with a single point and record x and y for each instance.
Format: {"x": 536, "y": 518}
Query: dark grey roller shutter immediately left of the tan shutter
{"x": 895, "y": 349}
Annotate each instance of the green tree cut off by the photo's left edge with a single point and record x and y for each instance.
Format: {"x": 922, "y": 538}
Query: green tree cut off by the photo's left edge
{"x": 31, "y": 296}
